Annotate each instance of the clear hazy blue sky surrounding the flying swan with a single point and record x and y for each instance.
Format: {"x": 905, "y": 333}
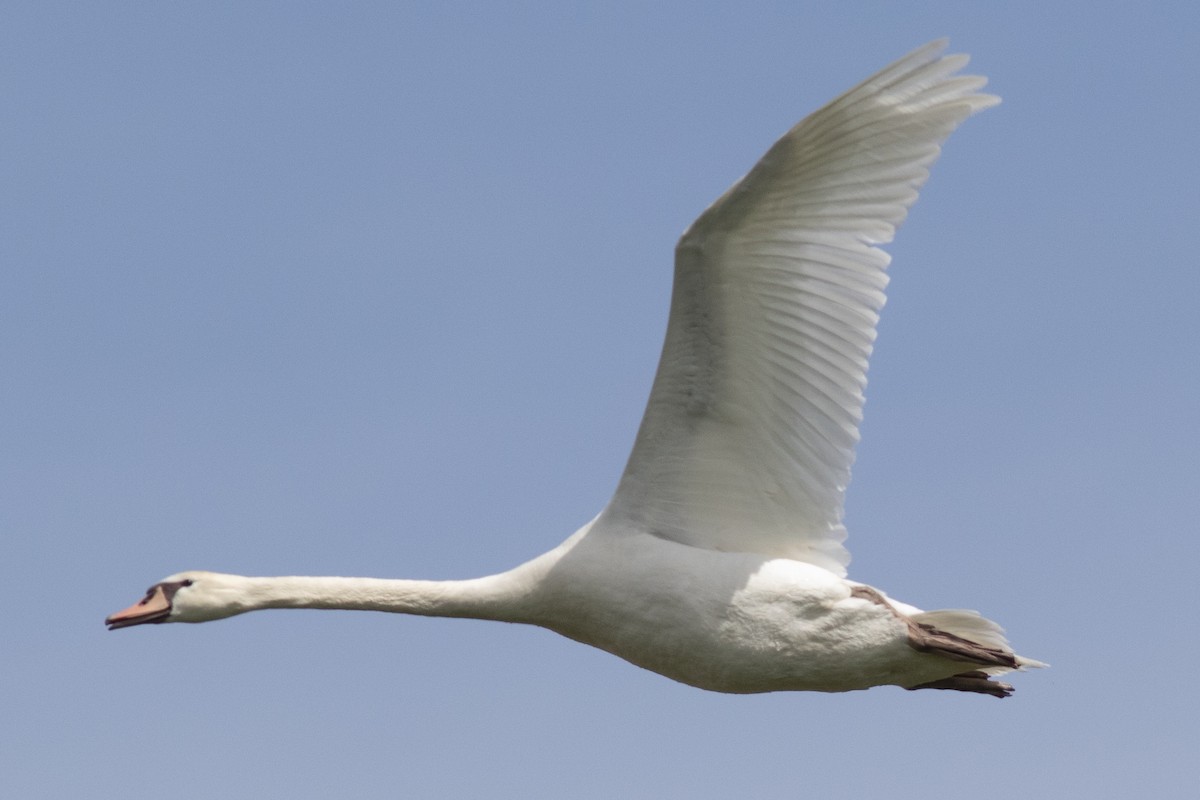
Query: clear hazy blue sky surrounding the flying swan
{"x": 380, "y": 290}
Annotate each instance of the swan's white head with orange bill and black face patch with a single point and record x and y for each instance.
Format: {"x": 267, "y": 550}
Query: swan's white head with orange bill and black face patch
{"x": 185, "y": 598}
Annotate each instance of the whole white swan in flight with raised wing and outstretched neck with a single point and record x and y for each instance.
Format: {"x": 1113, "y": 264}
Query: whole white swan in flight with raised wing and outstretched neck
{"x": 719, "y": 562}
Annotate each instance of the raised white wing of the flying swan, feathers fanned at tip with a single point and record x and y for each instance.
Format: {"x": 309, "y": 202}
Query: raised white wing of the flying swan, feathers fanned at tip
{"x": 751, "y": 429}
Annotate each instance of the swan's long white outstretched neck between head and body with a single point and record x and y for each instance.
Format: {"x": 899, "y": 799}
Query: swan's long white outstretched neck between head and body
{"x": 497, "y": 597}
